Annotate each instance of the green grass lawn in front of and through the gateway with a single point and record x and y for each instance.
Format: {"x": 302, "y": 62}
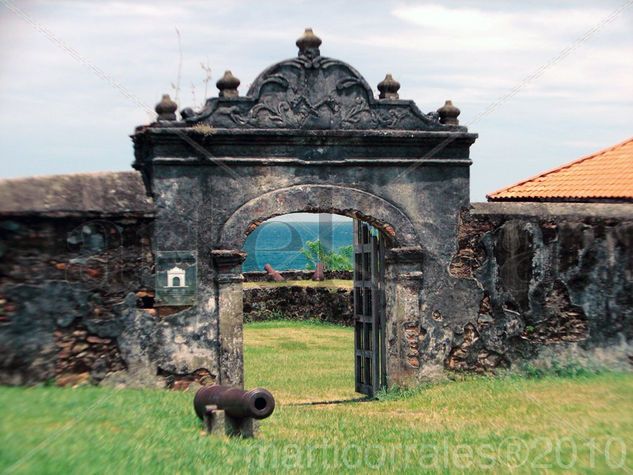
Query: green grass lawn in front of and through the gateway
{"x": 581, "y": 424}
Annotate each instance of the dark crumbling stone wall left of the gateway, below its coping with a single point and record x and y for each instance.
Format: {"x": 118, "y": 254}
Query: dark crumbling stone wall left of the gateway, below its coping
{"x": 61, "y": 282}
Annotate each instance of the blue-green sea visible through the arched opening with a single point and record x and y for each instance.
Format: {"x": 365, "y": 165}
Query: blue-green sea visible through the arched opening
{"x": 279, "y": 243}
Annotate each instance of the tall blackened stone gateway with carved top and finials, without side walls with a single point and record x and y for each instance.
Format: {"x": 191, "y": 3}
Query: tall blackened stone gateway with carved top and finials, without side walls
{"x": 309, "y": 135}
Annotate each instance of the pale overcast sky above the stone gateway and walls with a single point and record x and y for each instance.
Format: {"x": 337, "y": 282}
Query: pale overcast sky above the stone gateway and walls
{"x": 71, "y": 106}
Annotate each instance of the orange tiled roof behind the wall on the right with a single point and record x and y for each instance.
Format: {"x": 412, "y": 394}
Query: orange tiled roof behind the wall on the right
{"x": 604, "y": 175}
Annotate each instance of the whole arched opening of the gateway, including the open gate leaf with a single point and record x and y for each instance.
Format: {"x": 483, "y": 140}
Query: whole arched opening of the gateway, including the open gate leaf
{"x": 314, "y": 295}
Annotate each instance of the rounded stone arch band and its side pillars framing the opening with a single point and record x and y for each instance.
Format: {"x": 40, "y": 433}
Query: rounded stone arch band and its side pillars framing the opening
{"x": 360, "y": 205}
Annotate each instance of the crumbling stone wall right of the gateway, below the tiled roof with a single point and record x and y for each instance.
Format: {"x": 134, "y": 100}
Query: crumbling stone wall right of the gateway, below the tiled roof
{"x": 550, "y": 284}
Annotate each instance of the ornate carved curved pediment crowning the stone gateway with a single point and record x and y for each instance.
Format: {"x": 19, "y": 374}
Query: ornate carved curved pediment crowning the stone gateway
{"x": 311, "y": 92}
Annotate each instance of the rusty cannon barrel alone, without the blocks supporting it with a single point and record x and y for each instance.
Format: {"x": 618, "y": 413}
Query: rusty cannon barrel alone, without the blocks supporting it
{"x": 257, "y": 403}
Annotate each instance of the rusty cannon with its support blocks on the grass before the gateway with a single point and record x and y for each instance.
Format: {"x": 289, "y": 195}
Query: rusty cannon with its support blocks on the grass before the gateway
{"x": 232, "y": 411}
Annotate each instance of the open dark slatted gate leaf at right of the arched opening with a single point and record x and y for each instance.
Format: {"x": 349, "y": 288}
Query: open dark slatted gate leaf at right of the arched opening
{"x": 369, "y": 309}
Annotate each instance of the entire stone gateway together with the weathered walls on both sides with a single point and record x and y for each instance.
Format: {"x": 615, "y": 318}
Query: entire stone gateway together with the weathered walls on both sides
{"x": 128, "y": 282}
